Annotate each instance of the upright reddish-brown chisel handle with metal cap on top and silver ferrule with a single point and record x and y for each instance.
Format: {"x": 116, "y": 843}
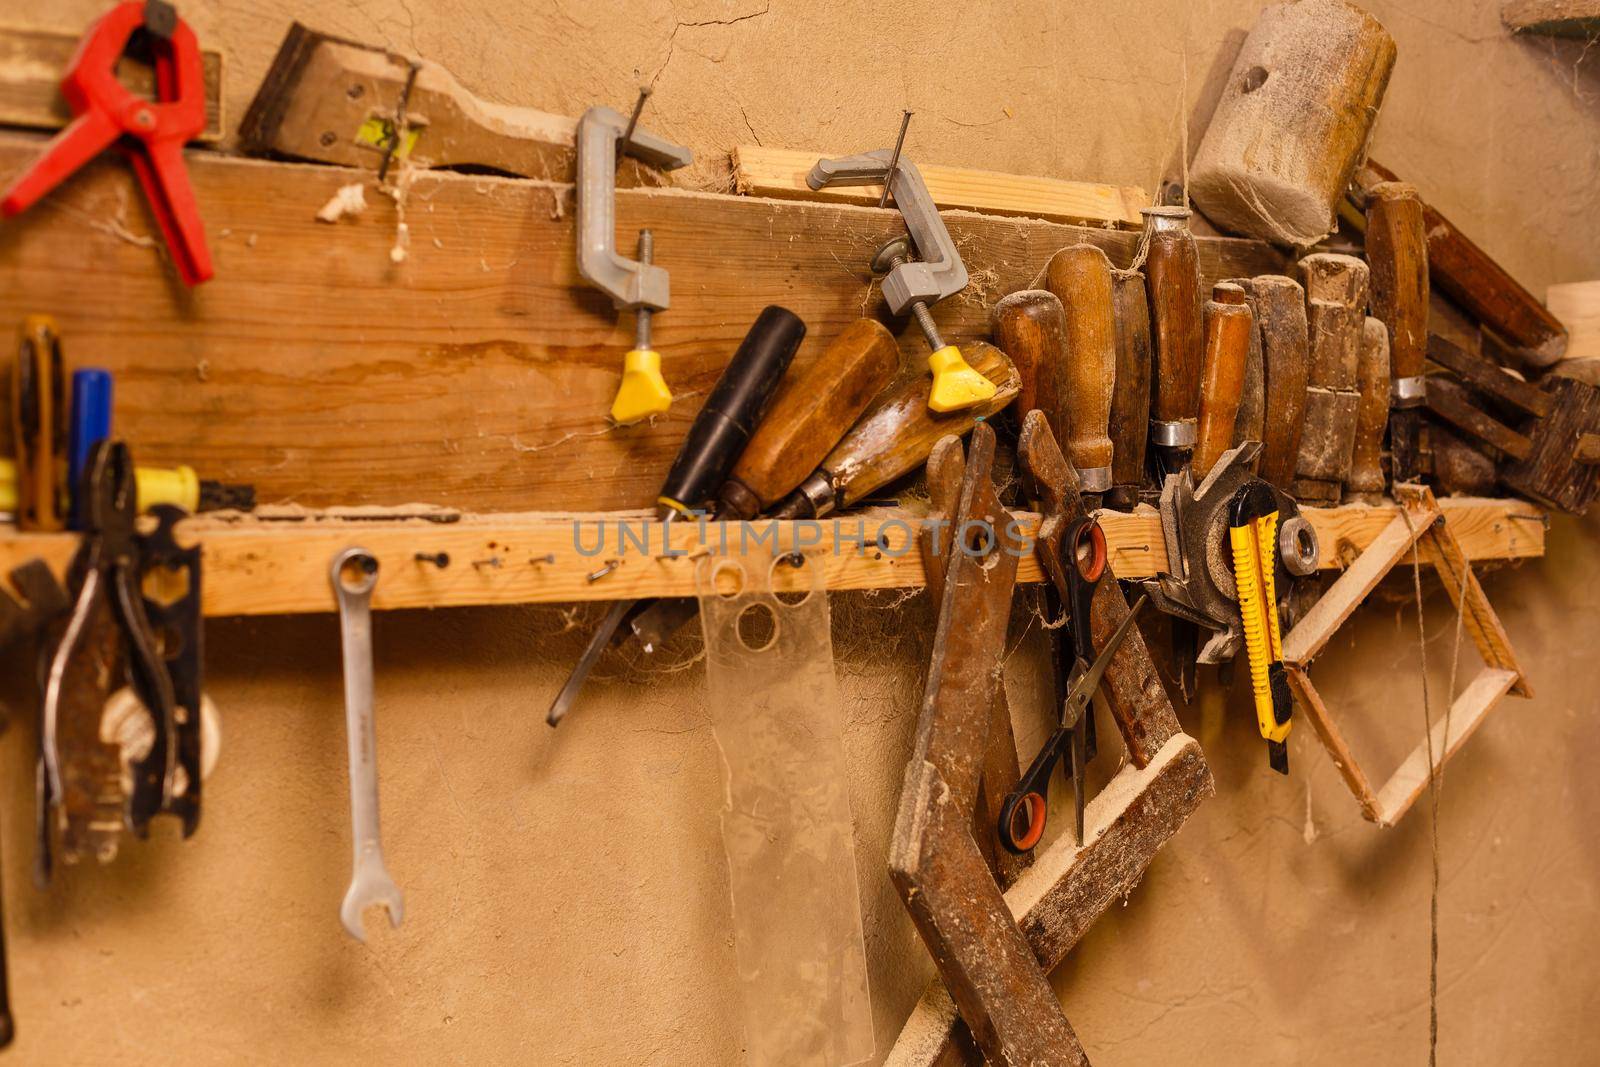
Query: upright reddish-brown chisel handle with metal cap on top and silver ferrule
{"x": 1172, "y": 273}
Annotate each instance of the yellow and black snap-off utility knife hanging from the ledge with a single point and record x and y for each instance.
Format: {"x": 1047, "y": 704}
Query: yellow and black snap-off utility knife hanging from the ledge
{"x": 1254, "y": 533}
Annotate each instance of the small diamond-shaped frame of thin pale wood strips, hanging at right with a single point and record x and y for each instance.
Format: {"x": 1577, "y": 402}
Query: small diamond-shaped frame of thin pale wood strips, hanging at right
{"x": 1420, "y": 522}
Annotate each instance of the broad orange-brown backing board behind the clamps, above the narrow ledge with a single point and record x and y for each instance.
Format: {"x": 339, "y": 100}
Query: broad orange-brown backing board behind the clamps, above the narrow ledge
{"x": 479, "y": 372}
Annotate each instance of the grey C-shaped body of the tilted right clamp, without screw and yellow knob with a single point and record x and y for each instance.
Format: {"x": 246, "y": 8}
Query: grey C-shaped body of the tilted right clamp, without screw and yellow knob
{"x": 940, "y": 273}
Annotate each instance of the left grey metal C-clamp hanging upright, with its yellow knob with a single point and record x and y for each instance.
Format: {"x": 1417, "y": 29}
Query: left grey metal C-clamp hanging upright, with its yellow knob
{"x": 633, "y": 284}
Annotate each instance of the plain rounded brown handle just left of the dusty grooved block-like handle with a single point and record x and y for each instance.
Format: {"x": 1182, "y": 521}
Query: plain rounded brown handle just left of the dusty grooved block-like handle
{"x": 1279, "y": 308}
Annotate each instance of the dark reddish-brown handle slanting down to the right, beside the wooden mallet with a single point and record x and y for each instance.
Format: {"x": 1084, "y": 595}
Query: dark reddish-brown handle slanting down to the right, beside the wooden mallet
{"x": 1479, "y": 286}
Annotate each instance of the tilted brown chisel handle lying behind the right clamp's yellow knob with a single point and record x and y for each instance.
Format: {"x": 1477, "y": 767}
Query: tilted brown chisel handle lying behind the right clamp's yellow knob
{"x": 895, "y": 436}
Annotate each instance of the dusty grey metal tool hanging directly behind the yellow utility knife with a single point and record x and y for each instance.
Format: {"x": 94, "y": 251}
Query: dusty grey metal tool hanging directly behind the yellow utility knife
{"x": 1196, "y": 524}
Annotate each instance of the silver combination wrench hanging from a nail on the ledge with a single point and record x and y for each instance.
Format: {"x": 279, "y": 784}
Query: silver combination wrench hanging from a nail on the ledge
{"x": 354, "y": 575}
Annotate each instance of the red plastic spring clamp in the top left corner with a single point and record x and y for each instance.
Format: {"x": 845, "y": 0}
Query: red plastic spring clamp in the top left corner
{"x": 154, "y": 132}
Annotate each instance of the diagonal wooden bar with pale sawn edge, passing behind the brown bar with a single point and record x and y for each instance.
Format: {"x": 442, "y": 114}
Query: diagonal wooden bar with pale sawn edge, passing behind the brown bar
{"x": 1068, "y": 889}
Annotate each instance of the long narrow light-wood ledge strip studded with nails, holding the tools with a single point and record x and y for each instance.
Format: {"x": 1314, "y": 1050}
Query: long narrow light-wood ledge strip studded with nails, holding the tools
{"x": 255, "y": 567}
